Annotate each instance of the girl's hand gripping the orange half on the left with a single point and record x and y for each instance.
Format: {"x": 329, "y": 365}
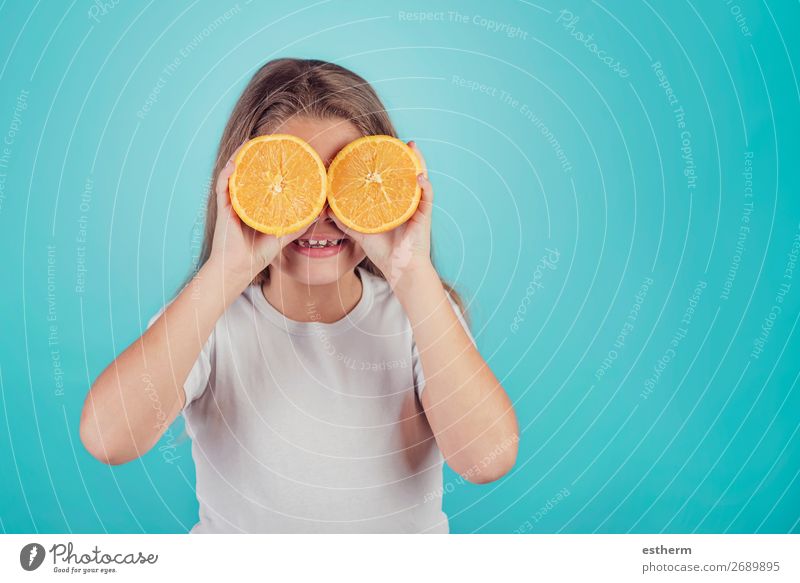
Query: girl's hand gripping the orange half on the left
{"x": 242, "y": 251}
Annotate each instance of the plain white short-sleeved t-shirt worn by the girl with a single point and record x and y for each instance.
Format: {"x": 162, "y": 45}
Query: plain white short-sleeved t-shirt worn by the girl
{"x": 313, "y": 427}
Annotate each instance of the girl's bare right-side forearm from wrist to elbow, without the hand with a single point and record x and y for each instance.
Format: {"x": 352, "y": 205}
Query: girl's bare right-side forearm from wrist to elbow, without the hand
{"x": 467, "y": 408}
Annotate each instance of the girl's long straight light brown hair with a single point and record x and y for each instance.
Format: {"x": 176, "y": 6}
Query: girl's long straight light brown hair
{"x": 283, "y": 88}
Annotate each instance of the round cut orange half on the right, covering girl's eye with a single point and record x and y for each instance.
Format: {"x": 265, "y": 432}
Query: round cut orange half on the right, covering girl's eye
{"x": 372, "y": 184}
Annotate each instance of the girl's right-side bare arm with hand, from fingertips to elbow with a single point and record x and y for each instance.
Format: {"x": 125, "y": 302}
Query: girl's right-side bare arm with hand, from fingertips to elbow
{"x": 469, "y": 412}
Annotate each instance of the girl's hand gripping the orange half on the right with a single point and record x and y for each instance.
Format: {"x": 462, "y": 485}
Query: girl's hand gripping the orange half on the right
{"x": 407, "y": 247}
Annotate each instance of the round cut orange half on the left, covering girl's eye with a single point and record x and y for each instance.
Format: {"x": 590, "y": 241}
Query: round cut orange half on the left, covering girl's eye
{"x": 278, "y": 185}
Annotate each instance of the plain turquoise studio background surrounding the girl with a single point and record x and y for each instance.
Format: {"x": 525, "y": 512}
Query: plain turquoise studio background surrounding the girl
{"x": 713, "y": 447}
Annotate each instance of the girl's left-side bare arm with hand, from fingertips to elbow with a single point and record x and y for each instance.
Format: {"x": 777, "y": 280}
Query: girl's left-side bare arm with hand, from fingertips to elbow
{"x": 133, "y": 402}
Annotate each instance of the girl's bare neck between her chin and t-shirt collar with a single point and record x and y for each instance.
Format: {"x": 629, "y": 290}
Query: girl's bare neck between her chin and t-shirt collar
{"x": 312, "y": 303}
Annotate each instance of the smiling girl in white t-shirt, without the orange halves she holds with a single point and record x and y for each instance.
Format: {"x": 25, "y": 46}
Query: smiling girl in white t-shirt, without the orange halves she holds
{"x": 322, "y": 387}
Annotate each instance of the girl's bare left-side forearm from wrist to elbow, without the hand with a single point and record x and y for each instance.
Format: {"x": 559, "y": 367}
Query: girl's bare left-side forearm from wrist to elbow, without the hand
{"x": 138, "y": 396}
